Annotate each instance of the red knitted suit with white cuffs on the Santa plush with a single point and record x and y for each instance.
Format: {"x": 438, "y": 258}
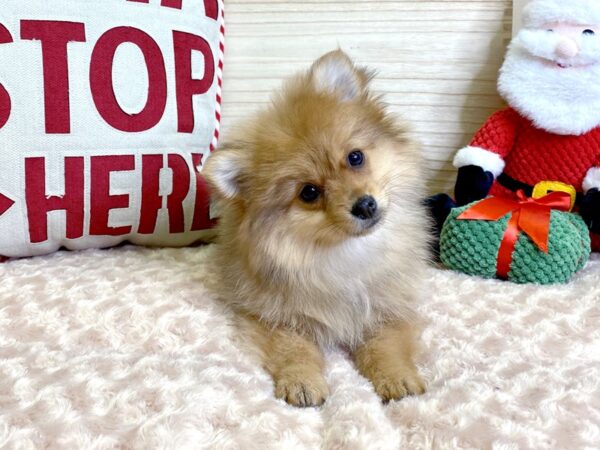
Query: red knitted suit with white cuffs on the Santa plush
{"x": 521, "y": 154}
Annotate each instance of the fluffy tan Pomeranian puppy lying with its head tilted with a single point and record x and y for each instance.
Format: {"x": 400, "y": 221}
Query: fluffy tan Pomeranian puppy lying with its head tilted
{"x": 322, "y": 238}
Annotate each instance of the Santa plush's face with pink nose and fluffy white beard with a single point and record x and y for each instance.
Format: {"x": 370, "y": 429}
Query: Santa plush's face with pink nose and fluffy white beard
{"x": 552, "y": 76}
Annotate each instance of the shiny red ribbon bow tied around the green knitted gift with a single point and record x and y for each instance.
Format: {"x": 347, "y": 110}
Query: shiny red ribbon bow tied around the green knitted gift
{"x": 529, "y": 215}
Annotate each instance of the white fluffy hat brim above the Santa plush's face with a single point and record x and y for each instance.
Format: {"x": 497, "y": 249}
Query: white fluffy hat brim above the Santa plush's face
{"x": 580, "y": 12}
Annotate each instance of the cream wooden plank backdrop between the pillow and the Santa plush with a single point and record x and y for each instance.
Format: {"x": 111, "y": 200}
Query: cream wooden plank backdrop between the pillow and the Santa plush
{"x": 437, "y": 60}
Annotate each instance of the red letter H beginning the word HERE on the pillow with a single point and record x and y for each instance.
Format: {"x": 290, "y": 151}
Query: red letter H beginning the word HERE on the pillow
{"x": 39, "y": 204}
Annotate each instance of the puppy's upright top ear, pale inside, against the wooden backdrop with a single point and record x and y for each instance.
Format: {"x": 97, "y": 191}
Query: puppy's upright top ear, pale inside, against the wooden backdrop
{"x": 335, "y": 73}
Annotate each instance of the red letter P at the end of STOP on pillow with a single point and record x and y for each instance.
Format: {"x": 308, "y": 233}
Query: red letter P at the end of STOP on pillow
{"x": 186, "y": 86}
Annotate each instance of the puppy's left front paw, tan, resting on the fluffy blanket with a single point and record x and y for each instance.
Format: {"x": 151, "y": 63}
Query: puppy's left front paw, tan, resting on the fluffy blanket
{"x": 301, "y": 387}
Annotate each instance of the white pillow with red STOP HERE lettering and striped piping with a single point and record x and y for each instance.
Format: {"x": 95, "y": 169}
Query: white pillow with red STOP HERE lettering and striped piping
{"x": 108, "y": 109}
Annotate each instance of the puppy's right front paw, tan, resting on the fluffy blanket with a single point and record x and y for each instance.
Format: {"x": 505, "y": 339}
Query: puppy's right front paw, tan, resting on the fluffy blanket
{"x": 397, "y": 384}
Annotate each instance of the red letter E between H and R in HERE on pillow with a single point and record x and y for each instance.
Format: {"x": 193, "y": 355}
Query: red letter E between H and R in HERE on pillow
{"x": 101, "y": 202}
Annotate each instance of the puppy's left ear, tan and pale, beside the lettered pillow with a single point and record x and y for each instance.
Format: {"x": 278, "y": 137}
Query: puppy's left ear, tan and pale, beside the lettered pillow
{"x": 225, "y": 169}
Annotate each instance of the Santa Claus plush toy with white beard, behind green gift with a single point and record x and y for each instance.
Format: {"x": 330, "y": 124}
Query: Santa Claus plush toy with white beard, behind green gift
{"x": 548, "y": 139}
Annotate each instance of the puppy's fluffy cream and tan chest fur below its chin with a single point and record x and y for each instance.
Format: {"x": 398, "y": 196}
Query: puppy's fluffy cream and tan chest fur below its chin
{"x": 335, "y": 295}
